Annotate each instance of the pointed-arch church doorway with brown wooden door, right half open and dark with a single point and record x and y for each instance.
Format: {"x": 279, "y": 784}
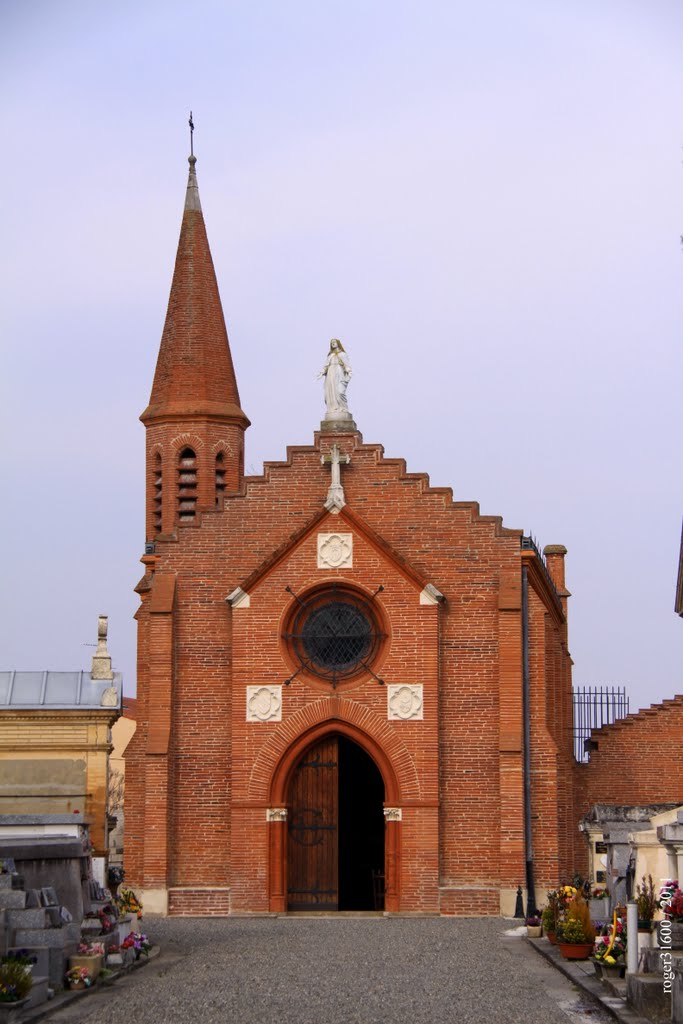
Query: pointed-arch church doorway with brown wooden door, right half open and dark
{"x": 335, "y": 850}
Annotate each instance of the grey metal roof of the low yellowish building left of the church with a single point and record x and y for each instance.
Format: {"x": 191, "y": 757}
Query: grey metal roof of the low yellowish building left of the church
{"x": 57, "y": 690}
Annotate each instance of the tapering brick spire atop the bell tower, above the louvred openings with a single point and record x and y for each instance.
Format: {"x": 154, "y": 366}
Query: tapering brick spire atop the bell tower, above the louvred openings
{"x": 195, "y": 376}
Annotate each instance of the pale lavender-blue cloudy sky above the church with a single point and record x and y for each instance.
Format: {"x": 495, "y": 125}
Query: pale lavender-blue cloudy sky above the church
{"x": 483, "y": 201}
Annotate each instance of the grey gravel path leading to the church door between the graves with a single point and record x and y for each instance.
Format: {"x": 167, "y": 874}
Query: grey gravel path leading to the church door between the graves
{"x": 337, "y": 971}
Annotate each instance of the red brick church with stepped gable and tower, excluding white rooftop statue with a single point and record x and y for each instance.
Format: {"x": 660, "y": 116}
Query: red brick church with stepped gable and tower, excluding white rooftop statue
{"x": 354, "y": 692}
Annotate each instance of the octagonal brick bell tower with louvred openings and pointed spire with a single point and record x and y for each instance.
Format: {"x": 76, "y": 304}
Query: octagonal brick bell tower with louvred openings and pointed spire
{"x": 195, "y": 425}
